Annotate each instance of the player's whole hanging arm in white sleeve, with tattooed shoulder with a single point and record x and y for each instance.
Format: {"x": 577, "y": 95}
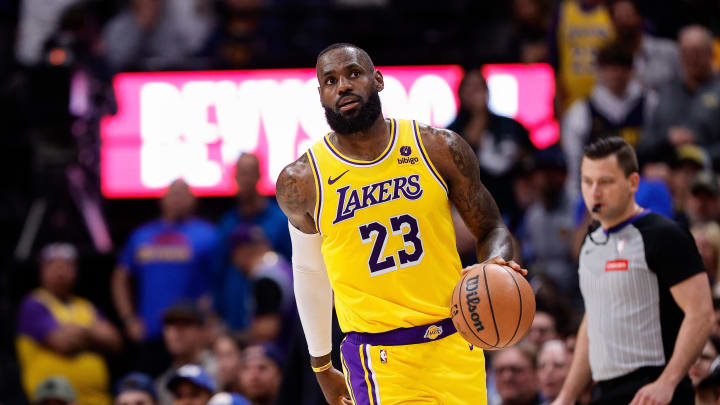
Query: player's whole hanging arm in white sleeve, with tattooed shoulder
{"x": 295, "y": 192}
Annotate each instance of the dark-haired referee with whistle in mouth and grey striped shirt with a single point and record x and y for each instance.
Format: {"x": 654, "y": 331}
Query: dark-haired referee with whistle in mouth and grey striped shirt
{"x": 647, "y": 297}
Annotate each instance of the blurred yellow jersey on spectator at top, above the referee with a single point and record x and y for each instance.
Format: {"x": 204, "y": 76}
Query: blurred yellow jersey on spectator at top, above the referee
{"x": 581, "y": 33}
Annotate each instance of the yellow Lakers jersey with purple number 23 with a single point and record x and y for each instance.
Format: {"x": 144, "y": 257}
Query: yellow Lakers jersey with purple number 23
{"x": 387, "y": 235}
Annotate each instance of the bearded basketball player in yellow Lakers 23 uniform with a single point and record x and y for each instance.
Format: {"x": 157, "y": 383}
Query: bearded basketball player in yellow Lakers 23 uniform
{"x": 369, "y": 212}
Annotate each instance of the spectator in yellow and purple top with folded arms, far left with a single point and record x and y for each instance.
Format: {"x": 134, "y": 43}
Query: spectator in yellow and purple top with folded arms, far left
{"x": 62, "y": 334}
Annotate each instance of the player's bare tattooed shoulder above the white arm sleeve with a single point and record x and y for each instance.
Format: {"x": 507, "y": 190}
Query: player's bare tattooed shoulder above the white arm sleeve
{"x": 295, "y": 187}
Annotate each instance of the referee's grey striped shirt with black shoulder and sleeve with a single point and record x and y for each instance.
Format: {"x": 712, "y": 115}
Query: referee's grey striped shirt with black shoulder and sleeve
{"x": 625, "y": 277}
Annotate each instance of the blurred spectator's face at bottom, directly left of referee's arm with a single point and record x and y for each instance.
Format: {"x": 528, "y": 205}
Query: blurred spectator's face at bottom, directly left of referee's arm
{"x": 553, "y": 366}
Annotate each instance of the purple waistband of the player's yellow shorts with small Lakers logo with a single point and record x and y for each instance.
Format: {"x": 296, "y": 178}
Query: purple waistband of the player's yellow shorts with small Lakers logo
{"x": 405, "y": 336}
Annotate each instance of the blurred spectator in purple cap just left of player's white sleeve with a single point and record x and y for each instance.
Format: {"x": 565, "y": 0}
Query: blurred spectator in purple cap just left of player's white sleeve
{"x": 272, "y": 300}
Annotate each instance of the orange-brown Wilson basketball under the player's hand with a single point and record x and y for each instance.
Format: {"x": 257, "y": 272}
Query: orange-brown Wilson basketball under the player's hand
{"x": 492, "y": 306}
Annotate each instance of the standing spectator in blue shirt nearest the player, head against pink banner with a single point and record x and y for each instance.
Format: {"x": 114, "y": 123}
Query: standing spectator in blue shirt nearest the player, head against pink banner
{"x": 232, "y": 288}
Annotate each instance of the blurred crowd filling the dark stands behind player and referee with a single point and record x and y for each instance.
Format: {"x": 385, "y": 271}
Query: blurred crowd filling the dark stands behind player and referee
{"x": 101, "y": 304}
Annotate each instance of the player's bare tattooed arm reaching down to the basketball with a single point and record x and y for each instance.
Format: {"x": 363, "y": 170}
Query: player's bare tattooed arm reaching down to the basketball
{"x": 457, "y": 164}
